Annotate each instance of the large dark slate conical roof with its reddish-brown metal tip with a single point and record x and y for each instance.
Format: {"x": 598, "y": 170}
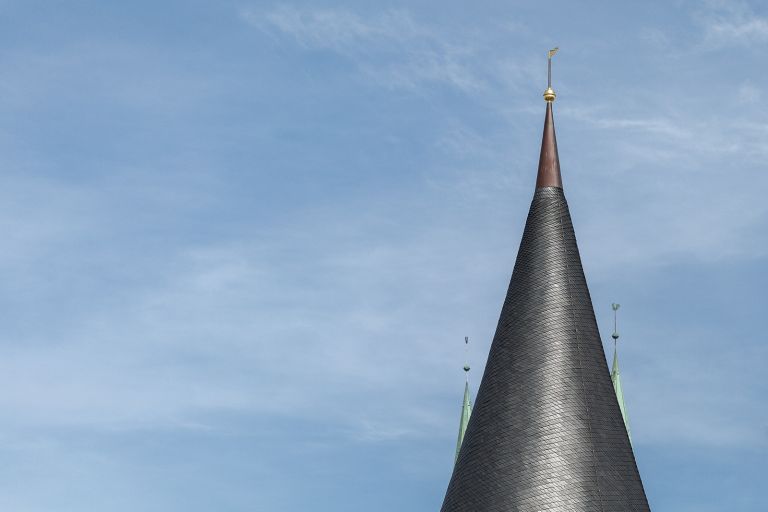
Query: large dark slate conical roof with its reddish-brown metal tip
{"x": 546, "y": 432}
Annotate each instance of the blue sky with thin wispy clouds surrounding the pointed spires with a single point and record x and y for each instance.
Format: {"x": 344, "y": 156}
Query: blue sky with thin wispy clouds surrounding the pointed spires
{"x": 243, "y": 241}
